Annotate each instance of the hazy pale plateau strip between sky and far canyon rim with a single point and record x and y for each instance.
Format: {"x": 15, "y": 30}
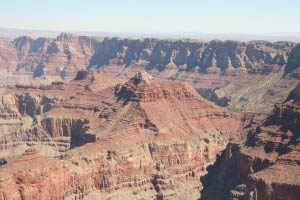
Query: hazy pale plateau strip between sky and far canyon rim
{"x": 12, "y": 33}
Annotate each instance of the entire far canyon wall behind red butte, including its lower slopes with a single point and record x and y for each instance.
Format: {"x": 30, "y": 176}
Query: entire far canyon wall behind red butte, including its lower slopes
{"x": 245, "y": 74}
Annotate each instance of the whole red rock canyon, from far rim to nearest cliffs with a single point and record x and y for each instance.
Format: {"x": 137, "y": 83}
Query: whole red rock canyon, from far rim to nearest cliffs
{"x": 115, "y": 118}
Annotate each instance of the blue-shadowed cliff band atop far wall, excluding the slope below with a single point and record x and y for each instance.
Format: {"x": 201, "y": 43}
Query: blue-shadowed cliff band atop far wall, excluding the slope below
{"x": 192, "y": 54}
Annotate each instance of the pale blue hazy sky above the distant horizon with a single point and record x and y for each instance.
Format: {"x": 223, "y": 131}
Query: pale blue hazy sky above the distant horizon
{"x": 206, "y": 16}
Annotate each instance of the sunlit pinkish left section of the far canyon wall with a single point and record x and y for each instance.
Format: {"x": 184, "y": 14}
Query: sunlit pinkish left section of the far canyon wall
{"x": 63, "y": 56}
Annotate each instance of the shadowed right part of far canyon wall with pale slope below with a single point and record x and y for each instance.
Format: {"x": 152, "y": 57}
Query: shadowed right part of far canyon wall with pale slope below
{"x": 247, "y": 75}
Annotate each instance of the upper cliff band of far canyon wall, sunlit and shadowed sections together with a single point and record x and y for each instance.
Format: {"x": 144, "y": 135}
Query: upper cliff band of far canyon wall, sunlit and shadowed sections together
{"x": 67, "y": 54}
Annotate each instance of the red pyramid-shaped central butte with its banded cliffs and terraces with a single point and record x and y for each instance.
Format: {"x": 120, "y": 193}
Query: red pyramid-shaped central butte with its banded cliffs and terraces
{"x": 112, "y": 136}
